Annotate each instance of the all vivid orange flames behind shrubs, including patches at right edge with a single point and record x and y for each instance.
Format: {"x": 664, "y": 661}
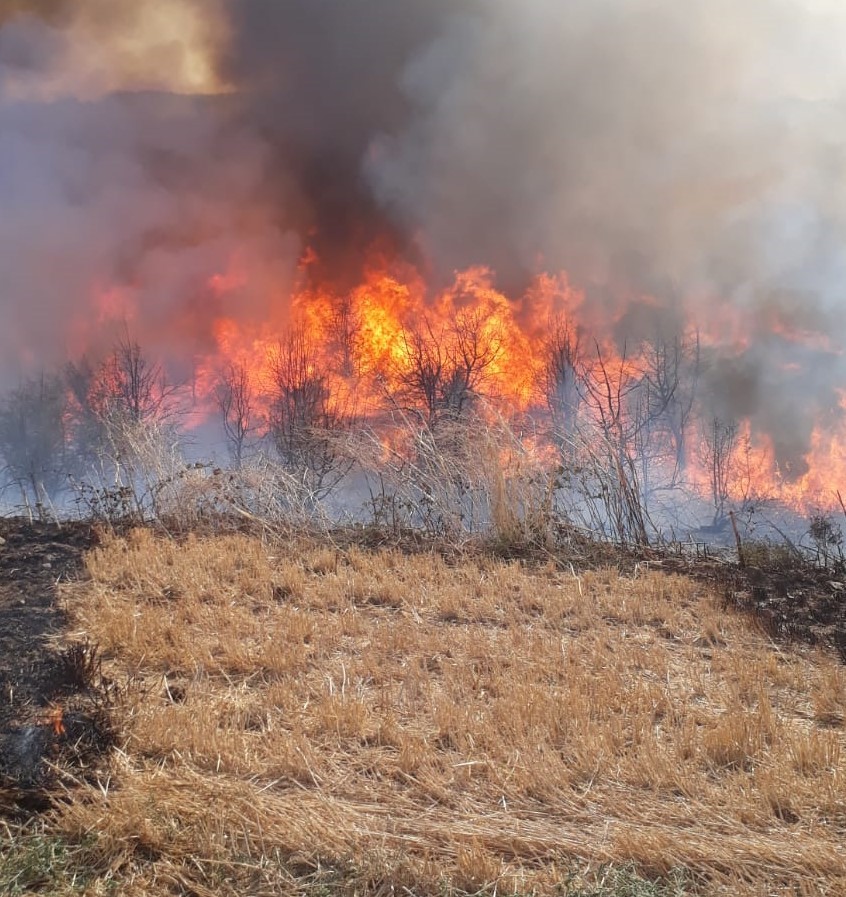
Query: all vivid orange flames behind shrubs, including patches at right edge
{"x": 367, "y": 340}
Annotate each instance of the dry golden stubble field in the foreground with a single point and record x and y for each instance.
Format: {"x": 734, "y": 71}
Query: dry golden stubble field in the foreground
{"x": 306, "y": 719}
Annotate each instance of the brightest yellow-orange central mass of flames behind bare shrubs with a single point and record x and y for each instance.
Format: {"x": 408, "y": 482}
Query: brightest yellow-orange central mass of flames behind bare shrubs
{"x": 368, "y": 334}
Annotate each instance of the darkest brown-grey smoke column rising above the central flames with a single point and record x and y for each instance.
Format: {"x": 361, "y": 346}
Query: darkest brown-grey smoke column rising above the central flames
{"x": 320, "y": 82}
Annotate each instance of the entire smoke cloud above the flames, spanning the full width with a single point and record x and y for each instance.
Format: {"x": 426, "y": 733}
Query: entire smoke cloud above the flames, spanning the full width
{"x": 690, "y": 151}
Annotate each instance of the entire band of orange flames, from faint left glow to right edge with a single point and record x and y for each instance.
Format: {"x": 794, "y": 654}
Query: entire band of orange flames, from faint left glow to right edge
{"x": 364, "y": 341}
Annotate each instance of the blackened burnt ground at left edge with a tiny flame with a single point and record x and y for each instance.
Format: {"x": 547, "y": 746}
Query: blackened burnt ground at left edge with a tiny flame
{"x": 51, "y": 698}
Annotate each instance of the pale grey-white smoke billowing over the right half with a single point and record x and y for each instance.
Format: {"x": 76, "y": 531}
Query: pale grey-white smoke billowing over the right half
{"x": 692, "y": 152}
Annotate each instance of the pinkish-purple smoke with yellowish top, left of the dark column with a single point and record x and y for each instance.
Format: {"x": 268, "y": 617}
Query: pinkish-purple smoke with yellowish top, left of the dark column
{"x": 126, "y": 182}
